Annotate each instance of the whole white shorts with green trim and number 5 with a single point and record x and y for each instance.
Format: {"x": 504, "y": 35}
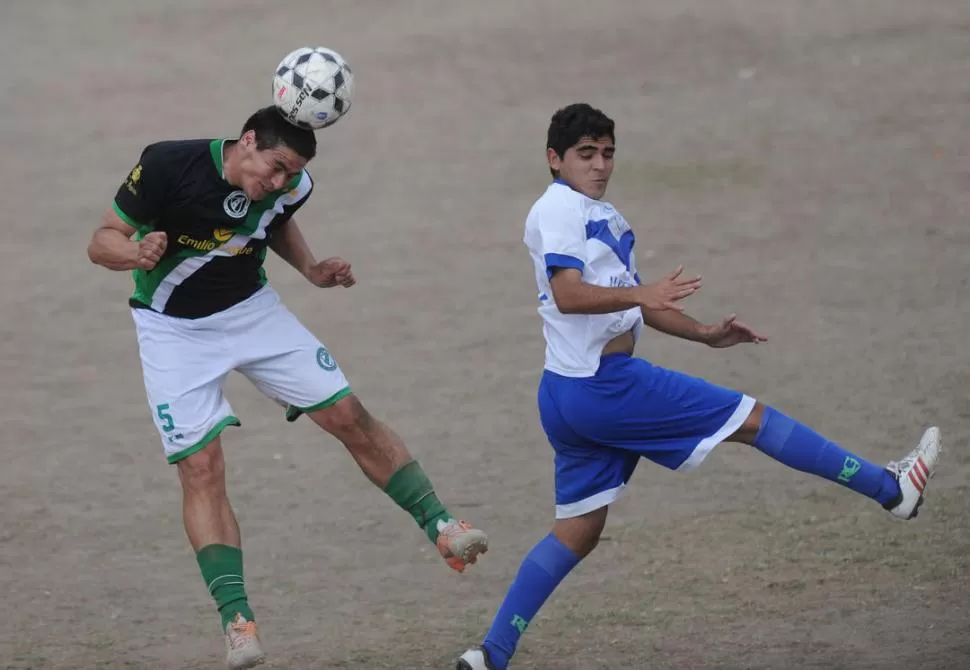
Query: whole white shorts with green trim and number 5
{"x": 185, "y": 363}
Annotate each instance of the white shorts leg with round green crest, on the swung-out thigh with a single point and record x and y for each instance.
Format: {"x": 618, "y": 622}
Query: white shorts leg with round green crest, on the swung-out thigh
{"x": 290, "y": 365}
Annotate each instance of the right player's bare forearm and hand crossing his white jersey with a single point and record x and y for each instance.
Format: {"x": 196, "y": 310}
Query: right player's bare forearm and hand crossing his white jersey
{"x": 574, "y": 296}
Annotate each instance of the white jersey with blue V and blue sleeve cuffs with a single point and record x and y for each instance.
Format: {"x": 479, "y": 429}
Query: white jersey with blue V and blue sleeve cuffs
{"x": 566, "y": 229}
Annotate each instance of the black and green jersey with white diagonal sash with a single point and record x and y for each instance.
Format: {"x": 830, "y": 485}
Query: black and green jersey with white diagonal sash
{"x": 217, "y": 237}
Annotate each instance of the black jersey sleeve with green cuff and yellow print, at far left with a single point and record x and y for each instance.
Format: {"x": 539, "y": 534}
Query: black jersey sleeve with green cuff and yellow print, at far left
{"x": 140, "y": 200}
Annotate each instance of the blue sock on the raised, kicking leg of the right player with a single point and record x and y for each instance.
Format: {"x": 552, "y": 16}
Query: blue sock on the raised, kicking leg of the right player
{"x": 800, "y": 447}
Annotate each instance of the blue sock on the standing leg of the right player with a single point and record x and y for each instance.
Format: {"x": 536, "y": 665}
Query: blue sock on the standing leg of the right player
{"x": 540, "y": 573}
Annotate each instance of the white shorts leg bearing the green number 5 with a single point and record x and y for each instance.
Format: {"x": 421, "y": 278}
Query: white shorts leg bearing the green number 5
{"x": 184, "y": 371}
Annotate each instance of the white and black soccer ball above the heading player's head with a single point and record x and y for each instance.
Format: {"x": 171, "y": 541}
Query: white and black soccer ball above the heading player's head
{"x": 313, "y": 87}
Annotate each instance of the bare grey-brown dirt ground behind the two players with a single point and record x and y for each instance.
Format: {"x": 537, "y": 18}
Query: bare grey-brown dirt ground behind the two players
{"x": 809, "y": 158}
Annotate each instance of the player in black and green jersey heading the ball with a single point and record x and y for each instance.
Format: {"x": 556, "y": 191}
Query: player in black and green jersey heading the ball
{"x": 193, "y": 221}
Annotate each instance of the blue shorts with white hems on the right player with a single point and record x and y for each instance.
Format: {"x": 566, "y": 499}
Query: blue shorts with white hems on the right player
{"x": 601, "y": 426}
